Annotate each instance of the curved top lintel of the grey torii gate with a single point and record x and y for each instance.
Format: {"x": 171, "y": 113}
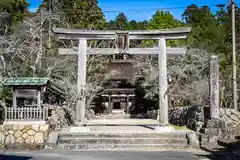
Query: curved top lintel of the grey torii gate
{"x": 174, "y": 33}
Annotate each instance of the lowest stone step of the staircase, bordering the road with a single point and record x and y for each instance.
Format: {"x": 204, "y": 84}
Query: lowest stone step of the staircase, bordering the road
{"x": 117, "y": 146}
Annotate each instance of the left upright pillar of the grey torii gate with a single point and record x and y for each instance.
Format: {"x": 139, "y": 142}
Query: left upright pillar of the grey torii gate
{"x": 81, "y": 81}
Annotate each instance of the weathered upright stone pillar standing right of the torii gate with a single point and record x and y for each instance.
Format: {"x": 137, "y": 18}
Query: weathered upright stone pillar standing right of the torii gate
{"x": 214, "y": 87}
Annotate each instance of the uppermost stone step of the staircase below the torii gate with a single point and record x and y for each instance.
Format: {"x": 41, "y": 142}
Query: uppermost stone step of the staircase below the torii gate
{"x": 122, "y": 135}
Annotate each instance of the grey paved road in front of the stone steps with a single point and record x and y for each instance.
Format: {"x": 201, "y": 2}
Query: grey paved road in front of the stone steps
{"x": 103, "y": 155}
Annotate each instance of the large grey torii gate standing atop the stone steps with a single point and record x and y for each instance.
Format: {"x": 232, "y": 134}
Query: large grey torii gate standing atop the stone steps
{"x": 122, "y": 46}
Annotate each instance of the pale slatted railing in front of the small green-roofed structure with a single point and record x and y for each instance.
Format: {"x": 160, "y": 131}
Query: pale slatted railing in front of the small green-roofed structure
{"x": 26, "y": 113}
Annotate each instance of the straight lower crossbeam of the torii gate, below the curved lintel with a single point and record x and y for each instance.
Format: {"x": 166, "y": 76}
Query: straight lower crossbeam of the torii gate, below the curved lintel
{"x": 132, "y": 51}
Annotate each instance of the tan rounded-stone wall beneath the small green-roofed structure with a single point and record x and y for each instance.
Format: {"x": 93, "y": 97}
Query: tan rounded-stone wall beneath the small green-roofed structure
{"x": 17, "y": 135}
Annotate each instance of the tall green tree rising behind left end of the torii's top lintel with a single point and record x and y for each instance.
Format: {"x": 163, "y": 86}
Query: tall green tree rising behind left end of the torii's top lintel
{"x": 84, "y": 14}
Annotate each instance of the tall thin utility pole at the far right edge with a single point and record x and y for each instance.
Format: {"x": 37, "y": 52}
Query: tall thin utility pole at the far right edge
{"x": 235, "y": 106}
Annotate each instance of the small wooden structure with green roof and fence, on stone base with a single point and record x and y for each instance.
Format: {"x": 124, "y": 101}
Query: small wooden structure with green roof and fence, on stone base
{"x": 29, "y": 96}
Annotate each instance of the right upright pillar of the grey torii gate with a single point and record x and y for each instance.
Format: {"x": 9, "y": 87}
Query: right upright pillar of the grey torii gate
{"x": 163, "y": 84}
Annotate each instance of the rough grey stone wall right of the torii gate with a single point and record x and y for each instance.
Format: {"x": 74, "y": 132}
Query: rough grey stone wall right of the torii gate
{"x": 197, "y": 119}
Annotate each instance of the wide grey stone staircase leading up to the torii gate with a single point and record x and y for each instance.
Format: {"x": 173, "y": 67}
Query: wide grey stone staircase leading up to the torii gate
{"x": 124, "y": 141}
